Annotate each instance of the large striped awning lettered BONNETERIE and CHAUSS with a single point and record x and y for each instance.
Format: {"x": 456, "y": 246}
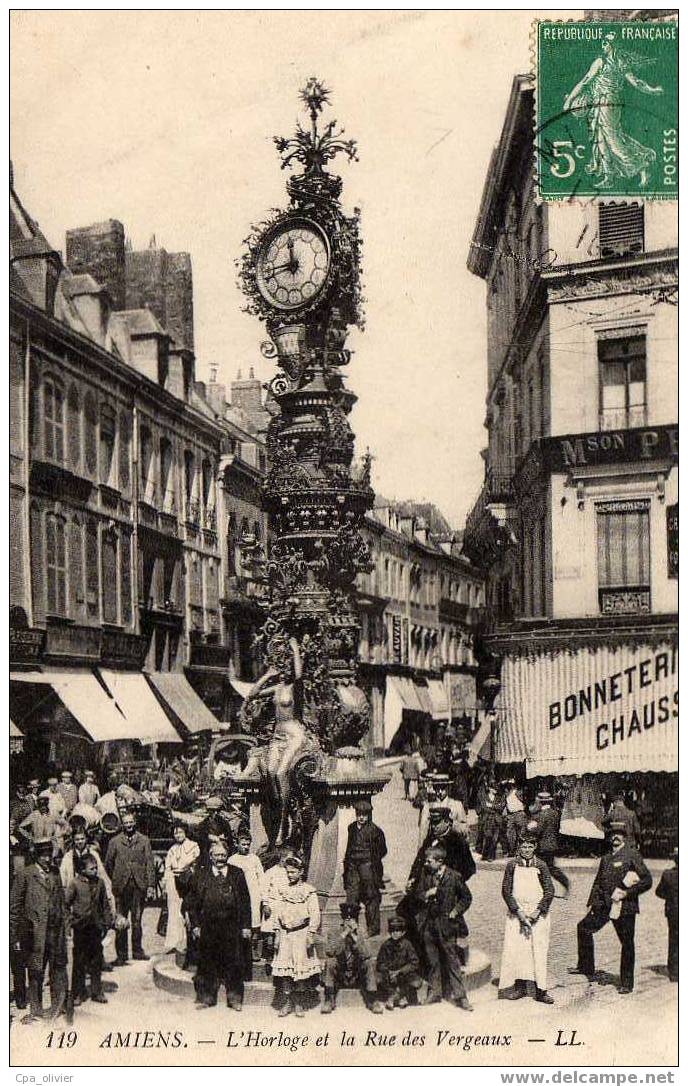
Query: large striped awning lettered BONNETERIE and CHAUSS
{"x": 593, "y": 711}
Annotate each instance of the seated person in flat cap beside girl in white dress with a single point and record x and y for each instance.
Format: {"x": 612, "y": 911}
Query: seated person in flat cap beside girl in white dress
{"x": 350, "y": 964}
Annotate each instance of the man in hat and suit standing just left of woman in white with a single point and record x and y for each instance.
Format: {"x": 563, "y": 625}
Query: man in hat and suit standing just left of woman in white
{"x": 130, "y": 864}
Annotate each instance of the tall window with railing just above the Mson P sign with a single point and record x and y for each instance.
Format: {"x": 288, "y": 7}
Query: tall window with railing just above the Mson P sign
{"x": 623, "y": 387}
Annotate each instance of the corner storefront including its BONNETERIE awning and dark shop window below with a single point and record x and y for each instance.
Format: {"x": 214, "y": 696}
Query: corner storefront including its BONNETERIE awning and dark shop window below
{"x": 592, "y": 721}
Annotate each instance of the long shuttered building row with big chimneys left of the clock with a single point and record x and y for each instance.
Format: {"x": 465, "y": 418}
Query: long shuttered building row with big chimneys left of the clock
{"x": 122, "y": 474}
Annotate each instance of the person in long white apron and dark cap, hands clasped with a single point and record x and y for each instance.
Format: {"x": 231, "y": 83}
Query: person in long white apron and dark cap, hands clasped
{"x": 529, "y": 891}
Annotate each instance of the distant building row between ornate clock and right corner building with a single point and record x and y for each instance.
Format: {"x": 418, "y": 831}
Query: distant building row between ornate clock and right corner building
{"x": 419, "y": 609}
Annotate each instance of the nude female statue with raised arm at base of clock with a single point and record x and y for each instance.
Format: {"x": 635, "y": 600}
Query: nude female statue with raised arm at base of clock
{"x": 290, "y": 739}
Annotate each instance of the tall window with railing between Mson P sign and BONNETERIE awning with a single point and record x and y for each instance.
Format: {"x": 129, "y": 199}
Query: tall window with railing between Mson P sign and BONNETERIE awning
{"x": 623, "y": 558}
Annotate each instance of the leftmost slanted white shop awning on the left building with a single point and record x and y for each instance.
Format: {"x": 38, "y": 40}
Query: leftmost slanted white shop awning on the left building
{"x": 84, "y": 697}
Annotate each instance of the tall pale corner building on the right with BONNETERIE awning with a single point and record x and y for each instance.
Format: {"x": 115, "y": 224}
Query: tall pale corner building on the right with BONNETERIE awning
{"x": 576, "y": 527}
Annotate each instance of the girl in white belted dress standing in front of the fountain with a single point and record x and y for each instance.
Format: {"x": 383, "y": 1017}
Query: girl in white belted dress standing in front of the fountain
{"x": 298, "y": 919}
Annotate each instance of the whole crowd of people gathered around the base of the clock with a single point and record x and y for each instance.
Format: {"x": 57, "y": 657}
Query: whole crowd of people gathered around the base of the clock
{"x": 82, "y": 868}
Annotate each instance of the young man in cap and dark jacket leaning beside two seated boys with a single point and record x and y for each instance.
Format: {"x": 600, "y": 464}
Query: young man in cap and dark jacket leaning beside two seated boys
{"x": 443, "y": 898}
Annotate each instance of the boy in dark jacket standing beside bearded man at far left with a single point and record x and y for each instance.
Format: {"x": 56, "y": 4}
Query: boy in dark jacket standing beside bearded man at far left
{"x": 92, "y": 918}
